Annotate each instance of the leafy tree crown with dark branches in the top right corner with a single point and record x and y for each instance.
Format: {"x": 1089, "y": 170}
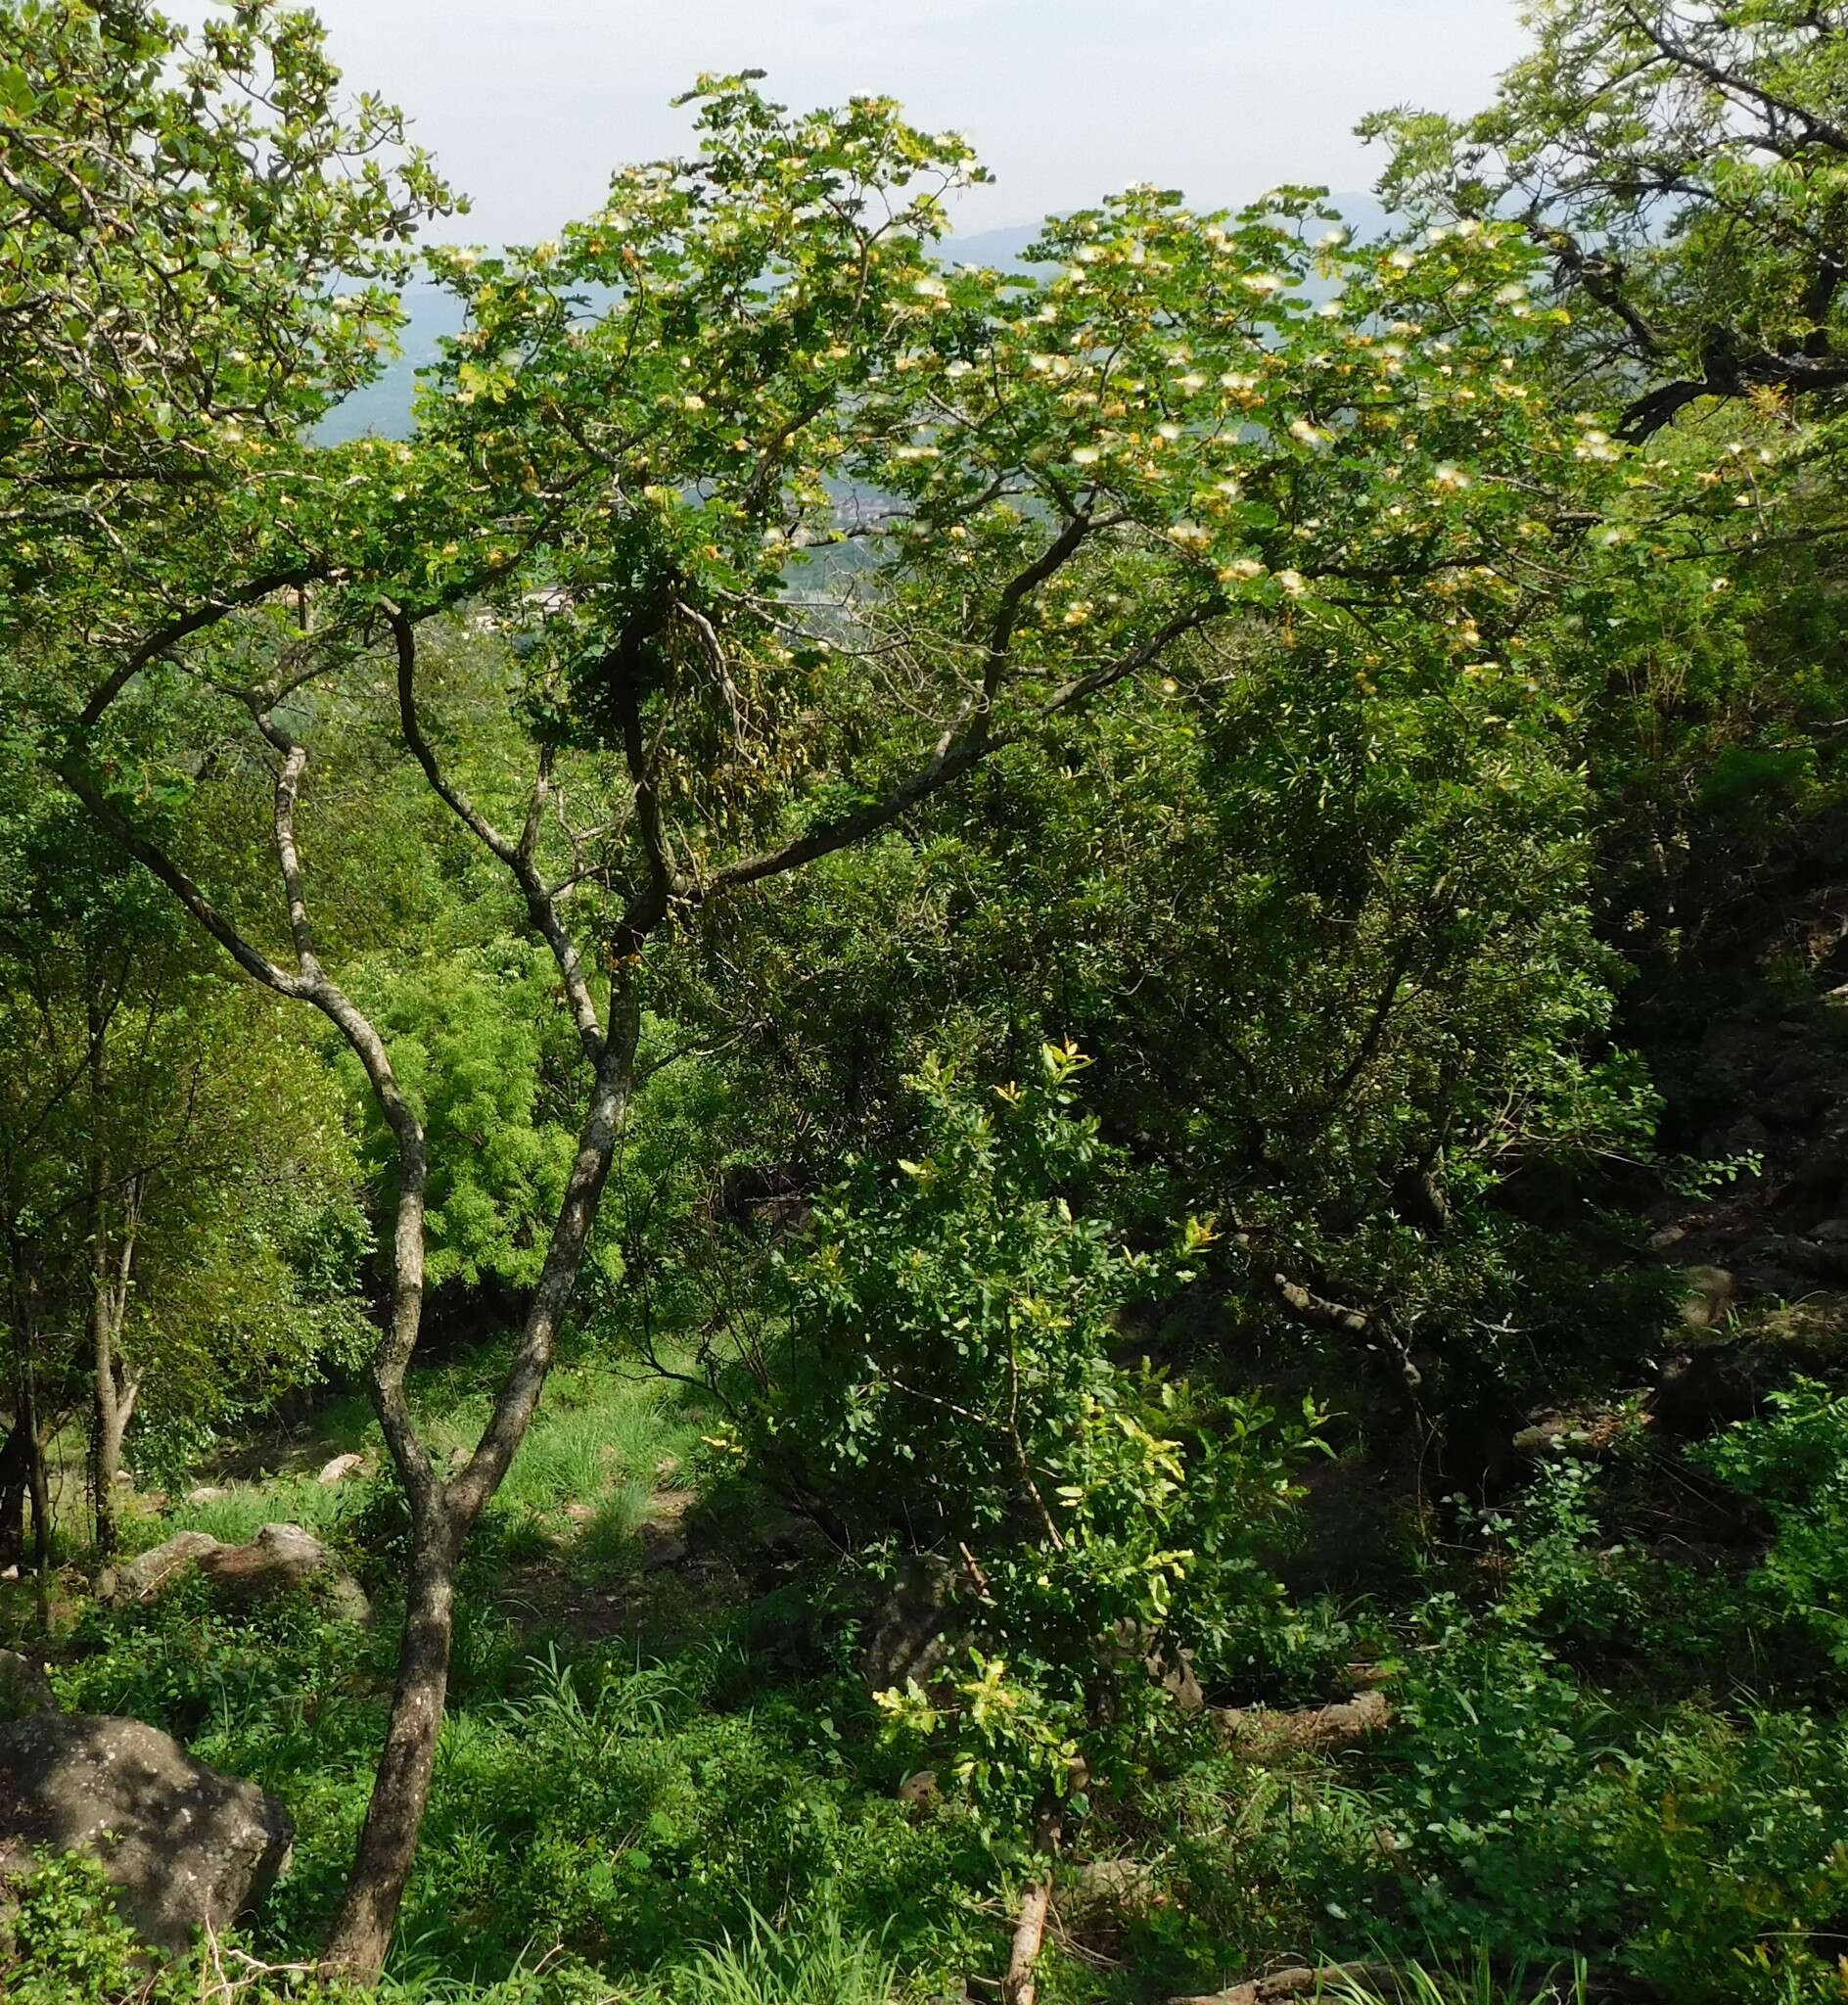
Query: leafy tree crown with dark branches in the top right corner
{"x": 1681, "y": 167}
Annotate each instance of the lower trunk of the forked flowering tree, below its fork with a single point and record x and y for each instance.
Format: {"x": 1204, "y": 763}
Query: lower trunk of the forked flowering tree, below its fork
{"x": 388, "y": 1846}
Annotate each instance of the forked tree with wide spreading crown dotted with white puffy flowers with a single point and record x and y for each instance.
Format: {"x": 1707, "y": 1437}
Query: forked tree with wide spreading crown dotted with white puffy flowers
{"x": 791, "y": 528}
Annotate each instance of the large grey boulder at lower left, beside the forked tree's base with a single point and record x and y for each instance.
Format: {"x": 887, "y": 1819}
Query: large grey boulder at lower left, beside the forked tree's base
{"x": 181, "y": 1844}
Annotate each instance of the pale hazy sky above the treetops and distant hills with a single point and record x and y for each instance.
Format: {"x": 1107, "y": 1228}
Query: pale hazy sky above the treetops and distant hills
{"x": 530, "y": 103}
